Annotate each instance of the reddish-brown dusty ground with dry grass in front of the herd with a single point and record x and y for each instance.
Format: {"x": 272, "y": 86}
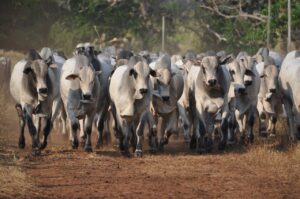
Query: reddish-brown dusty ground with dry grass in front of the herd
{"x": 268, "y": 169}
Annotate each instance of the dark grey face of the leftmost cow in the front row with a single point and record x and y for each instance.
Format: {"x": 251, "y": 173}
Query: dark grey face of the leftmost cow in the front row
{"x": 38, "y": 72}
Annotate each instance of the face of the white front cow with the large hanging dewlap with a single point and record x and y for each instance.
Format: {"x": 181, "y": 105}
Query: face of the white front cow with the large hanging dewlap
{"x": 141, "y": 73}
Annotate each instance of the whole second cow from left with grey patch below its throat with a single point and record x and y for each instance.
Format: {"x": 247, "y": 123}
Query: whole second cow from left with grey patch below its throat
{"x": 79, "y": 88}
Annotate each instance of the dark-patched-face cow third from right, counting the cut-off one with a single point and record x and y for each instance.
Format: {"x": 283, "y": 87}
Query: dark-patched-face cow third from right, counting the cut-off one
{"x": 243, "y": 96}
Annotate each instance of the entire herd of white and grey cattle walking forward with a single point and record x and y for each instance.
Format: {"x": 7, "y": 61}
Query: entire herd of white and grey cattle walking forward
{"x": 211, "y": 96}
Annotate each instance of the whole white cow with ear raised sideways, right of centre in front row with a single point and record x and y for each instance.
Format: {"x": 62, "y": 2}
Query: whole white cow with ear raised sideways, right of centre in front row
{"x": 208, "y": 84}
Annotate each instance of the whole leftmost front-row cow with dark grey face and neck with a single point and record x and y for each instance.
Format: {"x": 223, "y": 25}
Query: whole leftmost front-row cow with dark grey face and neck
{"x": 33, "y": 85}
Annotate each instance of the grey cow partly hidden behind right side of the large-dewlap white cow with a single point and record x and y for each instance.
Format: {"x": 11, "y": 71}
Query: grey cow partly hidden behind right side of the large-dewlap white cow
{"x": 168, "y": 87}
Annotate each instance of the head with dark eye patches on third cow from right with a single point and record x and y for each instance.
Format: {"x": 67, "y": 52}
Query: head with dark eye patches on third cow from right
{"x": 242, "y": 72}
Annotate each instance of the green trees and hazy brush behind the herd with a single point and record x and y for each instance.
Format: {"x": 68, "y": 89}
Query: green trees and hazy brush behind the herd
{"x": 190, "y": 24}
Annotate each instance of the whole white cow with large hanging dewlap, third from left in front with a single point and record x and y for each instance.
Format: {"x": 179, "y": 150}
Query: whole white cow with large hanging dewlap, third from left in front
{"x": 130, "y": 93}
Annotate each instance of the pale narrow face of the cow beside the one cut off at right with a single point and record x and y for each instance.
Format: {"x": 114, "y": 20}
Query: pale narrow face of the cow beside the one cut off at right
{"x": 270, "y": 78}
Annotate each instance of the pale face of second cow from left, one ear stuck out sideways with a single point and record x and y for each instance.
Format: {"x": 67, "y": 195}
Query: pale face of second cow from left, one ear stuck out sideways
{"x": 87, "y": 77}
